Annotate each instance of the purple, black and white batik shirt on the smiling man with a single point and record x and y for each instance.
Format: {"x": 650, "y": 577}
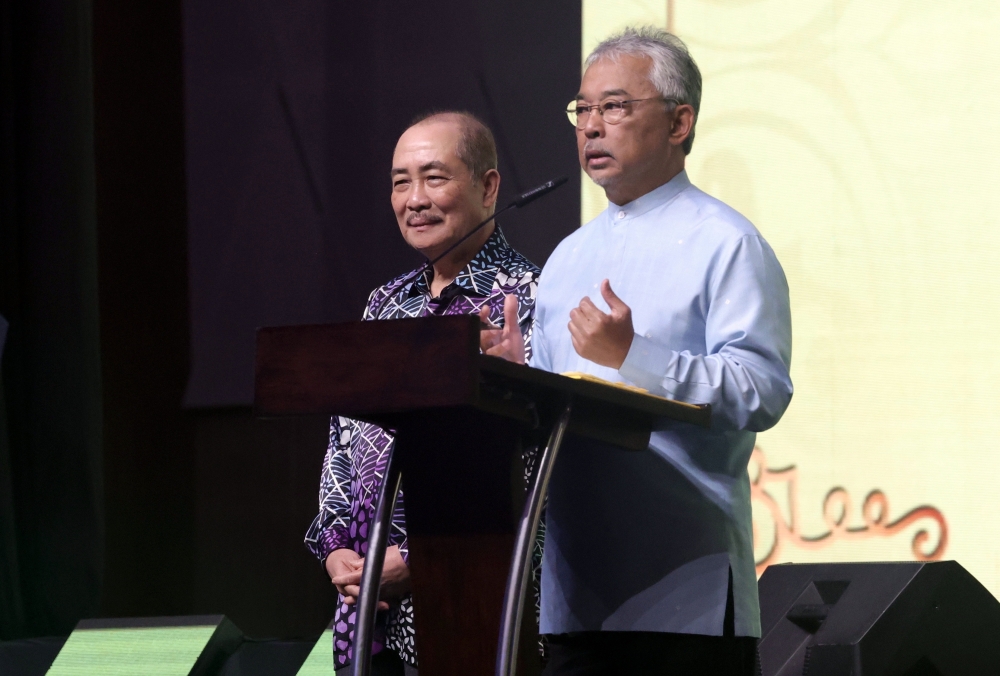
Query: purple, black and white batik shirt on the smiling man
{"x": 357, "y": 452}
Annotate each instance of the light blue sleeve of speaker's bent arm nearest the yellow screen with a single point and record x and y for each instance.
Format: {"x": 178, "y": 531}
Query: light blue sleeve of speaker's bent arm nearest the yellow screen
{"x": 744, "y": 373}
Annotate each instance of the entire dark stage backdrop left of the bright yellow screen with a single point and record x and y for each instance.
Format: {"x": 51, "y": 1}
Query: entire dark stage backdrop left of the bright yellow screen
{"x": 175, "y": 174}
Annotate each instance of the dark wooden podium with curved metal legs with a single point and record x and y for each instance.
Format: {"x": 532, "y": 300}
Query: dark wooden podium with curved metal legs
{"x": 459, "y": 419}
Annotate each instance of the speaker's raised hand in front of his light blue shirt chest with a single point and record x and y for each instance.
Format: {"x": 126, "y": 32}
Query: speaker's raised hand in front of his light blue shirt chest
{"x": 602, "y": 338}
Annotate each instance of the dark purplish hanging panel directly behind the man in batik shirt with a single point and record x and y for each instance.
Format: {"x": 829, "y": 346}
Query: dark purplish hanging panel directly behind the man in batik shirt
{"x": 293, "y": 111}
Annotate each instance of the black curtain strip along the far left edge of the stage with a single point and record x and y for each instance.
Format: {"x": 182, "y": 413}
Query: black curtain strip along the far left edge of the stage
{"x": 51, "y": 540}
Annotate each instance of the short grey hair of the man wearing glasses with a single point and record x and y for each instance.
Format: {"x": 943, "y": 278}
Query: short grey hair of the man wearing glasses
{"x": 674, "y": 73}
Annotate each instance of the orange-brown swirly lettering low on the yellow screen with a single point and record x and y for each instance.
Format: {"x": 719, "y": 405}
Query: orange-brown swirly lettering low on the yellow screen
{"x": 837, "y": 514}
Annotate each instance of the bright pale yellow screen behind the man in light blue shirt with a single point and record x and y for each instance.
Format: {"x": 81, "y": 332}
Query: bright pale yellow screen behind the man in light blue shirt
{"x": 863, "y": 140}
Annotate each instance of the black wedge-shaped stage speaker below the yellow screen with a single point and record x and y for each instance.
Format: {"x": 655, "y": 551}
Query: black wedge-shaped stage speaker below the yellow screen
{"x": 877, "y": 619}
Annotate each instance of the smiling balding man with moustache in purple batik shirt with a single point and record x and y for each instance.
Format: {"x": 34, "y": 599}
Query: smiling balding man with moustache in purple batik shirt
{"x": 444, "y": 182}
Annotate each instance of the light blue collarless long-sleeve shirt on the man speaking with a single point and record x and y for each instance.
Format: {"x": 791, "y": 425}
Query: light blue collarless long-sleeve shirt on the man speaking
{"x": 645, "y": 541}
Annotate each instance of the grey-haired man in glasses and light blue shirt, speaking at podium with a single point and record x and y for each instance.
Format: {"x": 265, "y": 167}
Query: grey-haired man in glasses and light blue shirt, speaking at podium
{"x": 648, "y": 564}
